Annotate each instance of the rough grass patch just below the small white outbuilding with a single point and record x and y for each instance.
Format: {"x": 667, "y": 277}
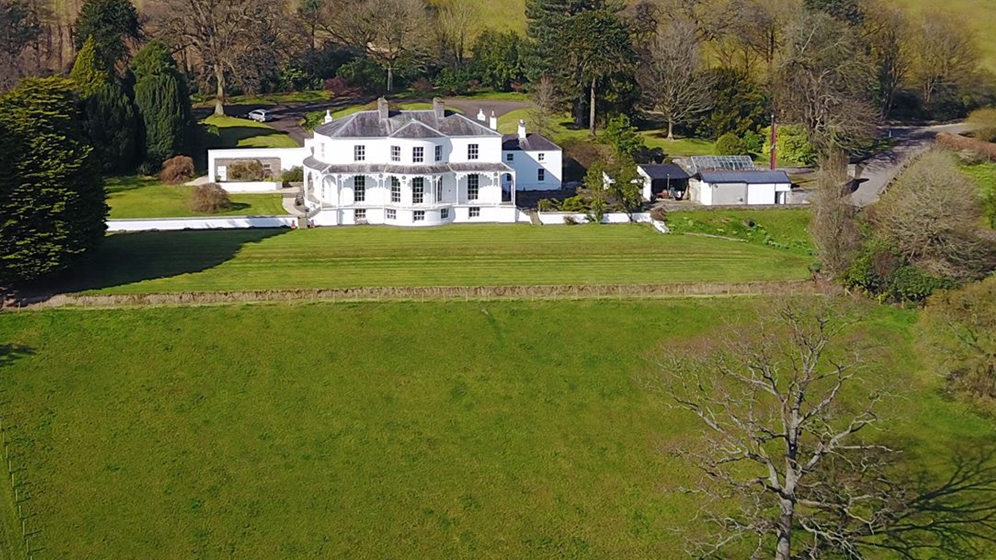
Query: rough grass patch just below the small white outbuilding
{"x": 785, "y": 229}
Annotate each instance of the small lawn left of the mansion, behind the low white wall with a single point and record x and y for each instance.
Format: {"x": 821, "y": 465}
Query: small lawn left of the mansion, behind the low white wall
{"x": 144, "y": 197}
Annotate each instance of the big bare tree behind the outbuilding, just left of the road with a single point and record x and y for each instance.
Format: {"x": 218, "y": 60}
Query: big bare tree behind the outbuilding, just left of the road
{"x": 823, "y": 83}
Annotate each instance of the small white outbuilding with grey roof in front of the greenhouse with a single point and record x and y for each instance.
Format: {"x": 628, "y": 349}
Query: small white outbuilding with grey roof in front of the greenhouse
{"x": 754, "y": 187}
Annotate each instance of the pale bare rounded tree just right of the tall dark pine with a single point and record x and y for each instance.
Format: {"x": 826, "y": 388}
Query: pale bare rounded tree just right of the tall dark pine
{"x": 673, "y": 83}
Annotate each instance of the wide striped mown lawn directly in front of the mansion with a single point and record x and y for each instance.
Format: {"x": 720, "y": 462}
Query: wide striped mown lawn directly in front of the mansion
{"x": 488, "y": 255}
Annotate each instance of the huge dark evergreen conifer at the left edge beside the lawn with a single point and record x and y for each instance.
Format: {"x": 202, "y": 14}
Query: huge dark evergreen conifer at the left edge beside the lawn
{"x": 52, "y": 199}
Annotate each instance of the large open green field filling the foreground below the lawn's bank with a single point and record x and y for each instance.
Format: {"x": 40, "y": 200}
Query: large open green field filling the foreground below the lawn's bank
{"x": 477, "y": 430}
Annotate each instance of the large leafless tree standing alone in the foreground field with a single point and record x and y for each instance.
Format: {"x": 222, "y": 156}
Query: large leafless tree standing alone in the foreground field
{"x": 770, "y": 398}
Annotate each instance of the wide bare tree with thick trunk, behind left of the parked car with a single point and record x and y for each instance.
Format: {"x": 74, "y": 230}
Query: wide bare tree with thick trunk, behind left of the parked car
{"x": 230, "y": 37}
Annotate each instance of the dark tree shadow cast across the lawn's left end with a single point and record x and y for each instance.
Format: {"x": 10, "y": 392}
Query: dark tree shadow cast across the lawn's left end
{"x": 128, "y": 258}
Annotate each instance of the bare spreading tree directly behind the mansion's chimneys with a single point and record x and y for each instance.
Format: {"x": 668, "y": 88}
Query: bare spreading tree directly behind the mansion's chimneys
{"x": 386, "y": 30}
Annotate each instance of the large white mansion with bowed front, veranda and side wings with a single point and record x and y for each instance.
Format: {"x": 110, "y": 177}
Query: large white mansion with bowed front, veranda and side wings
{"x": 413, "y": 168}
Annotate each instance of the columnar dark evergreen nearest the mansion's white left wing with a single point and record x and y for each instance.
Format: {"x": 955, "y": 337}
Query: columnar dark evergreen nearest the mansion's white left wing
{"x": 163, "y": 103}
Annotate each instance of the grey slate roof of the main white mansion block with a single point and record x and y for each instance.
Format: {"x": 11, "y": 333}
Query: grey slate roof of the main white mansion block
{"x": 403, "y": 124}
